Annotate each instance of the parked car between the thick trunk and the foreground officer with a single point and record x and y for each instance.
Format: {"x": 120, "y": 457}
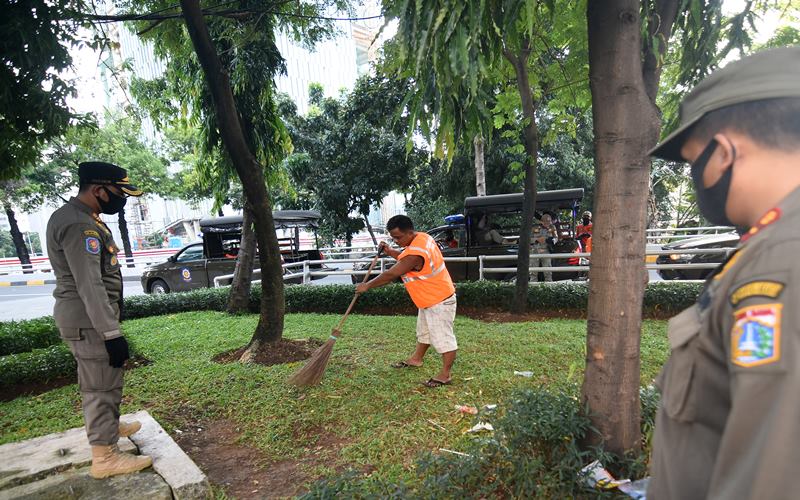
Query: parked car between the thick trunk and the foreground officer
{"x": 681, "y": 255}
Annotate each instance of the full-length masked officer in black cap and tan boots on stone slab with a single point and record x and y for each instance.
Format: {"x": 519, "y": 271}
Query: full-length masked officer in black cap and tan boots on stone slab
{"x": 88, "y": 298}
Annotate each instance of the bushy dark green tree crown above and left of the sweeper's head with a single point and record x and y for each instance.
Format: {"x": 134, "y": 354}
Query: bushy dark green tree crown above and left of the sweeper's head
{"x": 349, "y": 153}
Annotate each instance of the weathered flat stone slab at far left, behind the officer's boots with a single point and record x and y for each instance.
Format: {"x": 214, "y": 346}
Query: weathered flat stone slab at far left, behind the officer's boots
{"x": 37, "y": 458}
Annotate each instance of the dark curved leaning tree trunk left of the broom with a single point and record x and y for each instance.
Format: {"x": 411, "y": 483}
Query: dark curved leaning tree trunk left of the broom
{"x": 251, "y": 174}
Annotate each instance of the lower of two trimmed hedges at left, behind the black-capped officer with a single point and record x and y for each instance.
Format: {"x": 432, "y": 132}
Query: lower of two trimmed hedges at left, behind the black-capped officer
{"x": 38, "y": 365}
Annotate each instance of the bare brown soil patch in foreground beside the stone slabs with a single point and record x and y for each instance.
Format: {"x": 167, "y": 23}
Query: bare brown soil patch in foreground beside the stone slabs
{"x": 242, "y": 470}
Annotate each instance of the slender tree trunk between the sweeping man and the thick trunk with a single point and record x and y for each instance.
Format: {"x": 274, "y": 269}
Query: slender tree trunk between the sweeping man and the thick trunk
{"x": 520, "y": 63}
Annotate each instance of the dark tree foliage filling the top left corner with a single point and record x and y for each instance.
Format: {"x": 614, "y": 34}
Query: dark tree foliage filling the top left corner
{"x": 33, "y": 93}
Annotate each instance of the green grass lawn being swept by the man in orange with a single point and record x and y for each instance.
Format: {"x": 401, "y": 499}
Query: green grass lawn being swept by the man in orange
{"x": 380, "y": 418}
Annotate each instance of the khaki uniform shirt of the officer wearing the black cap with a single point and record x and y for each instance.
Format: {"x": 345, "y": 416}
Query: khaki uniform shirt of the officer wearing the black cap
{"x": 88, "y": 278}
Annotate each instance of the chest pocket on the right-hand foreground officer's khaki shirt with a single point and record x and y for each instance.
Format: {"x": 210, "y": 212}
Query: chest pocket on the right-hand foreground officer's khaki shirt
{"x": 675, "y": 381}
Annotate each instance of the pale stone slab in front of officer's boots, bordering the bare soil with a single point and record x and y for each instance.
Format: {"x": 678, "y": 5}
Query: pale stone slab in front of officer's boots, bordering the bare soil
{"x": 169, "y": 460}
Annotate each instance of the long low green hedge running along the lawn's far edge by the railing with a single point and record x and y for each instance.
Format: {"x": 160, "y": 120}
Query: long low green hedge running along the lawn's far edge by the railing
{"x": 660, "y": 297}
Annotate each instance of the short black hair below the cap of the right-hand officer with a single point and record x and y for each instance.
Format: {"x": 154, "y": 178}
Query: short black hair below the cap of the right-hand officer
{"x": 772, "y": 123}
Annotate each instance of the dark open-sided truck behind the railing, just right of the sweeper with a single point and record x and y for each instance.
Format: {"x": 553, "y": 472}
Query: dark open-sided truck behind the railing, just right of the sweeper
{"x": 505, "y": 212}
